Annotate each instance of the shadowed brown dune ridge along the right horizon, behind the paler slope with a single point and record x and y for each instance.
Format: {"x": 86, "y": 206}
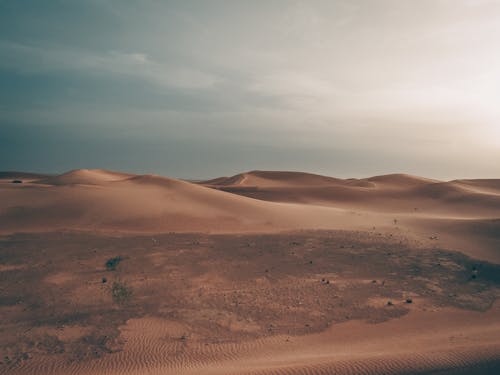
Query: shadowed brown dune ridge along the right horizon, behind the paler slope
{"x": 396, "y": 193}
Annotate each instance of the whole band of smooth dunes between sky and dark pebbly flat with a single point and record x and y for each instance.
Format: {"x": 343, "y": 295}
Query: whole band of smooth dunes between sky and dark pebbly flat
{"x": 256, "y": 201}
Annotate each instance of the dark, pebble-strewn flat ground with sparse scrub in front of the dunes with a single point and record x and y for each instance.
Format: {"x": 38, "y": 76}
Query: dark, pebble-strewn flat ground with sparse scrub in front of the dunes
{"x": 278, "y": 302}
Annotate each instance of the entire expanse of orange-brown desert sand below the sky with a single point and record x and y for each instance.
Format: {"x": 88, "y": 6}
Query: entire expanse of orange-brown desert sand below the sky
{"x": 258, "y": 273}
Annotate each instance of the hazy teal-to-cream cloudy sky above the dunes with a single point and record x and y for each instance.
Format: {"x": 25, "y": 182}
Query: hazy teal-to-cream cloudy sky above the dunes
{"x": 199, "y": 89}
